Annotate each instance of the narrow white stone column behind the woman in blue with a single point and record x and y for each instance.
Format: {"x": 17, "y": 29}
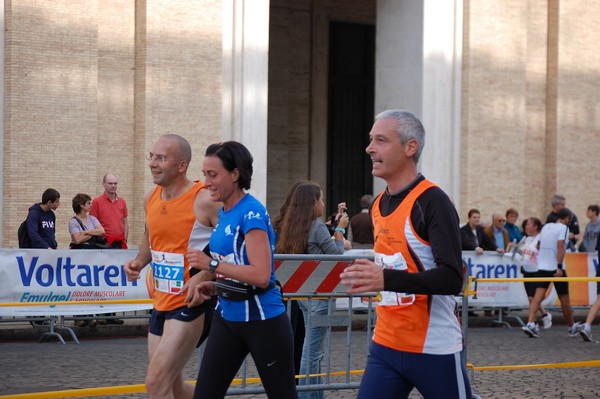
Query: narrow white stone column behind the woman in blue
{"x": 245, "y": 82}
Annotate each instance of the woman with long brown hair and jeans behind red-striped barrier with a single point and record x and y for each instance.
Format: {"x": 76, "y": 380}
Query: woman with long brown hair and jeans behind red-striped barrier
{"x": 301, "y": 231}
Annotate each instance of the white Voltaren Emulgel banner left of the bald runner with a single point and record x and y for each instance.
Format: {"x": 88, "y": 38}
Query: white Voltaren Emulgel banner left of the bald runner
{"x": 35, "y": 276}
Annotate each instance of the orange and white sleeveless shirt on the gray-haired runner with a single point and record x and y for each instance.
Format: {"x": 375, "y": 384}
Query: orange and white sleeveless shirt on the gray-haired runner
{"x": 419, "y": 323}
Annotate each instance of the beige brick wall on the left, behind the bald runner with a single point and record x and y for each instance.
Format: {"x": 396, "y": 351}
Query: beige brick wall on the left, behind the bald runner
{"x": 91, "y": 84}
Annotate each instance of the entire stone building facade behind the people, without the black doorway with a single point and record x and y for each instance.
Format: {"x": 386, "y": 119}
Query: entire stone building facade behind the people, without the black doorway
{"x": 507, "y": 91}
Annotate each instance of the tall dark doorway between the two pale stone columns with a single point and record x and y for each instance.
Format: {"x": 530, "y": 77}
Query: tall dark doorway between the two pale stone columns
{"x": 350, "y": 113}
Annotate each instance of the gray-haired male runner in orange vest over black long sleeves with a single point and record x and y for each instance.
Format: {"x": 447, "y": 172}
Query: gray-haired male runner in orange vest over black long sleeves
{"x": 417, "y": 270}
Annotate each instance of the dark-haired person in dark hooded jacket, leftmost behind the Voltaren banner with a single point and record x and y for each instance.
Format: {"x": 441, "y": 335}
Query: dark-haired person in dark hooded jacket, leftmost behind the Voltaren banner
{"x": 41, "y": 220}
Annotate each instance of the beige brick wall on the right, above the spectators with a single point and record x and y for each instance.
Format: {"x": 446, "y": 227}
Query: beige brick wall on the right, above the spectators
{"x": 530, "y": 124}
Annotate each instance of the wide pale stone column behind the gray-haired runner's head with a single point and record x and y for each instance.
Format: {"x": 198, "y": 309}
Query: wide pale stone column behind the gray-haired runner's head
{"x": 418, "y": 68}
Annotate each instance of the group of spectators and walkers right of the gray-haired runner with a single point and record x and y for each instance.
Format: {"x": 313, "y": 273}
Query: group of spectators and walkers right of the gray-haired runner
{"x": 543, "y": 249}
